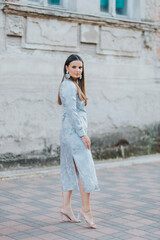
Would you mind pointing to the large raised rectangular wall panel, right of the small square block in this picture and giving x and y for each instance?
(118, 41)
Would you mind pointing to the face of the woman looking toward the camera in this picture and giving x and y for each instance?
(75, 69)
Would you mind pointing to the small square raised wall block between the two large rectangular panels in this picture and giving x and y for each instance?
(89, 33)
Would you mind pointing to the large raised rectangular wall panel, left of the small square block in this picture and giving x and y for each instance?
(51, 32)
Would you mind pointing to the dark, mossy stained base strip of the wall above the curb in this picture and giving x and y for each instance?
(121, 144)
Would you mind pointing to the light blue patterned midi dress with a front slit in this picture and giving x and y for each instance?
(74, 125)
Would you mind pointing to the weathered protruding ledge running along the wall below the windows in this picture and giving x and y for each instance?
(45, 12)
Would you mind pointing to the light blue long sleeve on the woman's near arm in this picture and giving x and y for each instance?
(68, 94)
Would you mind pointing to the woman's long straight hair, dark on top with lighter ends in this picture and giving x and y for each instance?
(81, 82)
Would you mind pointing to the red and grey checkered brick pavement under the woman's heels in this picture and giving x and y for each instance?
(127, 207)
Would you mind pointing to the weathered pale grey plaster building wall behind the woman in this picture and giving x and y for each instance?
(122, 66)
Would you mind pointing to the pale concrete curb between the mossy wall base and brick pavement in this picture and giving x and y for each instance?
(101, 164)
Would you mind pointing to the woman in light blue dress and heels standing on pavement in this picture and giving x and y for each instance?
(76, 162)
